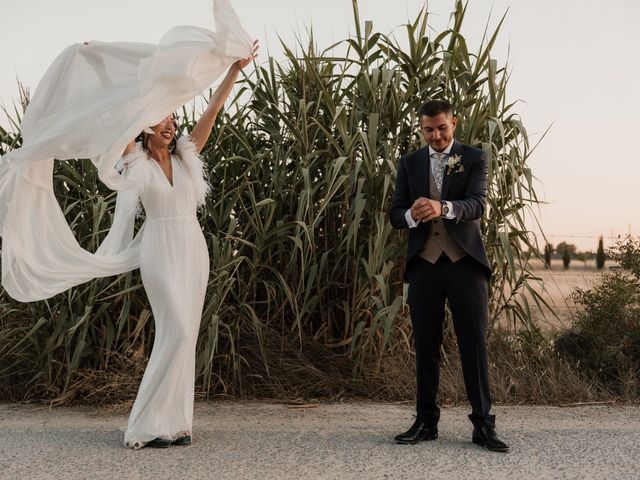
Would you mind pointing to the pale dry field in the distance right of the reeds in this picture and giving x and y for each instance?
(557, 287)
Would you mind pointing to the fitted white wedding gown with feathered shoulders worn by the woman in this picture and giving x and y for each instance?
(174, 264)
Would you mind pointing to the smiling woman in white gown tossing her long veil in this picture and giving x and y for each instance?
(119, 90)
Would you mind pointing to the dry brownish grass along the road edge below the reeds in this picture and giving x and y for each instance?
(522, 370)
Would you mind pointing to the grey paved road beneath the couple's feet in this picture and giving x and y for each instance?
(254, 440)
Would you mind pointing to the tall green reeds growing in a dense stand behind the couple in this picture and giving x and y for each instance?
(306, 272)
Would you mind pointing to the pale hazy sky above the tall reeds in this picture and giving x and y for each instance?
(575, 65)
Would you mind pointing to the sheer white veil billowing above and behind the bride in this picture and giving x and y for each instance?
(90, 103)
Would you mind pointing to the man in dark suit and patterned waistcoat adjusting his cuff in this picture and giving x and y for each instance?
(440, 196)
